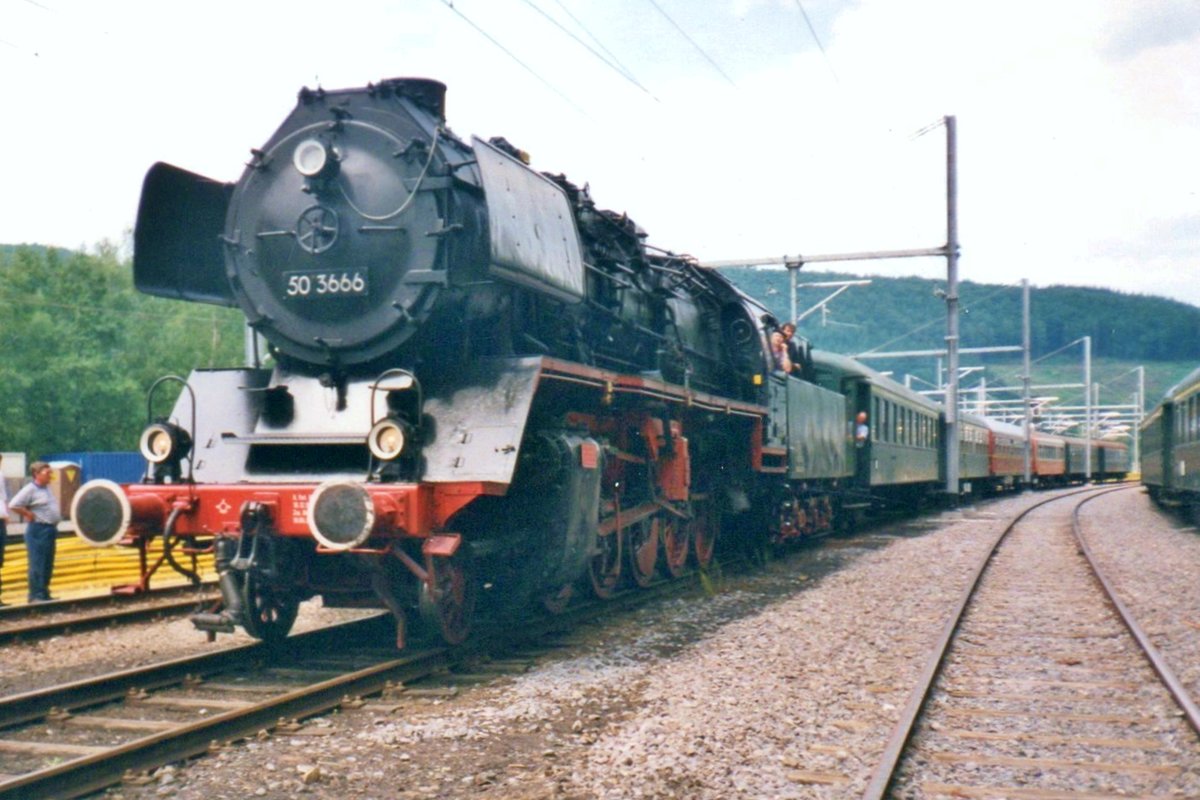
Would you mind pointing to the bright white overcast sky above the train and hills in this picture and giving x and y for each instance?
(728, 129)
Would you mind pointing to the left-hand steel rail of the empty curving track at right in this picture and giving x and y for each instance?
(884, 774)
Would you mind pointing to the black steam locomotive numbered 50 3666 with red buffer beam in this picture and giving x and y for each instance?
(478, 386)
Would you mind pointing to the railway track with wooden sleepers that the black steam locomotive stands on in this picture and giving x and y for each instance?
(75, 739)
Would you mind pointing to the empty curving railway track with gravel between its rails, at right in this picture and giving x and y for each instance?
(1042, 687)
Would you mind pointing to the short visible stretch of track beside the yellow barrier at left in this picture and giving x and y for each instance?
(61, 617)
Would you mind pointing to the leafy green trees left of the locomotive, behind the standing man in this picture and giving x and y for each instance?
(81, 348)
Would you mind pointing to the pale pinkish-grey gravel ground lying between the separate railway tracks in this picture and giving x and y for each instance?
(783, 684)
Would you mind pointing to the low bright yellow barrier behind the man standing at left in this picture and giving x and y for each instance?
(81, 569)
